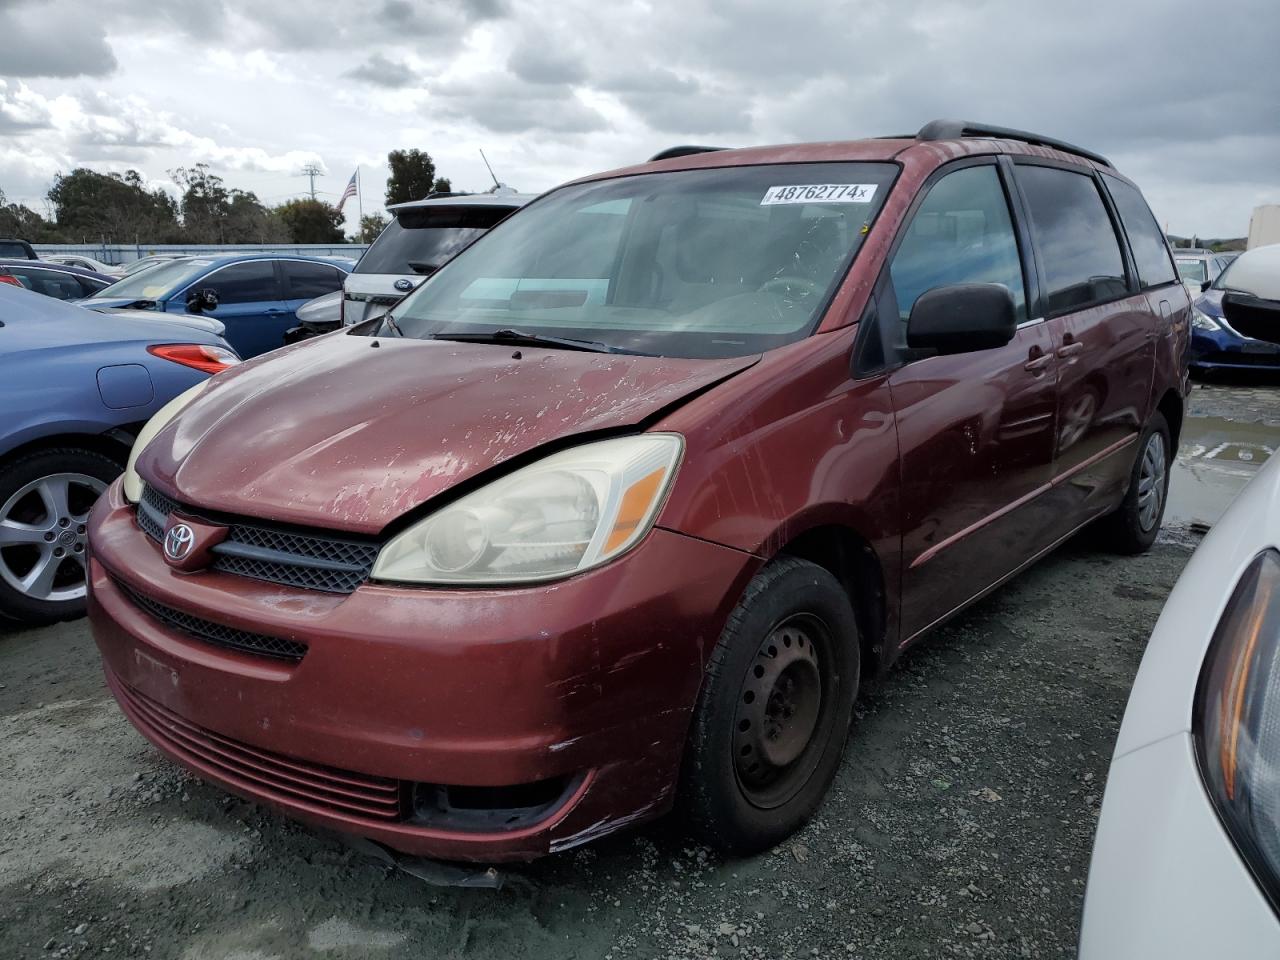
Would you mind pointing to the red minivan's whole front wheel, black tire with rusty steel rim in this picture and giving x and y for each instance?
(775, 710)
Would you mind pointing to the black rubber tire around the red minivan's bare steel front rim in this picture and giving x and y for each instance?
(712, 802)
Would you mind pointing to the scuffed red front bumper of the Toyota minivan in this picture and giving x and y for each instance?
(589, 682)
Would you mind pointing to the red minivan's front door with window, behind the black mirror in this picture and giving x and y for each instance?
(976, 431)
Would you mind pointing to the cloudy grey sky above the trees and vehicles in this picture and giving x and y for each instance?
(1182, 97)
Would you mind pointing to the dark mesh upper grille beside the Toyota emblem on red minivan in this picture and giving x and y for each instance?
(263, 552)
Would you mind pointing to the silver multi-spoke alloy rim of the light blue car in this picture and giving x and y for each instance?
(44, 537)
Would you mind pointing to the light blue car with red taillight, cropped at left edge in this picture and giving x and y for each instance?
(75, 392)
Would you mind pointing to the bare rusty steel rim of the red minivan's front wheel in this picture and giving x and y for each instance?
(781, 707)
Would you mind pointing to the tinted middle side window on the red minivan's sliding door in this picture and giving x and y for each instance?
(1075, 237)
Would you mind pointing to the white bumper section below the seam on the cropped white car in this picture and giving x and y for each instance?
(1167, 880)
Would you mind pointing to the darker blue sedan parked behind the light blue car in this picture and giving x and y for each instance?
(257, 296)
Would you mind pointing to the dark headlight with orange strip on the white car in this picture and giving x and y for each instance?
(1237, 721)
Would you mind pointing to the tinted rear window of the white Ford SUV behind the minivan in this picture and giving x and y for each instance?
(419, 240)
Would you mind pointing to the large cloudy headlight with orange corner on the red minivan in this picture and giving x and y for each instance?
(569, 513)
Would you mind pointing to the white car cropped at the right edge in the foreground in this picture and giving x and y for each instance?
(1187, 858)
